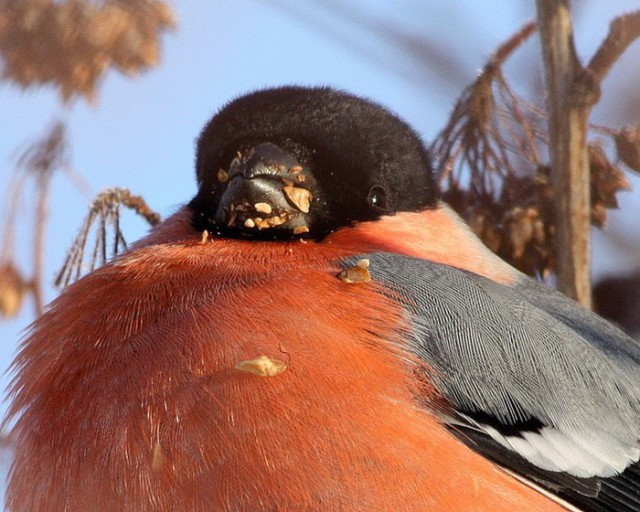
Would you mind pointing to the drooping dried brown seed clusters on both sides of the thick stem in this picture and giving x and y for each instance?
(493, 167)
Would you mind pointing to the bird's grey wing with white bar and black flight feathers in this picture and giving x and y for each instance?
(538, 383)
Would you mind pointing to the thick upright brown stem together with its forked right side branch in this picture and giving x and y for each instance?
(572, 91)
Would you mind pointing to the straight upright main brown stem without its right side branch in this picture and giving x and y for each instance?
(568, 124)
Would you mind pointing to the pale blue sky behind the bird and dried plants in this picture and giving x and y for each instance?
(141, 132)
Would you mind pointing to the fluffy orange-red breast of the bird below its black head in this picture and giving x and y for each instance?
(131, 399)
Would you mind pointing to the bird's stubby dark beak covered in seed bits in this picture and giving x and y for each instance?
(266, 194)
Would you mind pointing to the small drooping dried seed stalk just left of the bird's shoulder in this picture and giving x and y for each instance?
(104, 213)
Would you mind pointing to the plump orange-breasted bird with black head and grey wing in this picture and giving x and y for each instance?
(317, 330)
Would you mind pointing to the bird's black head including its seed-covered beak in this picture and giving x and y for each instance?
(297, 161)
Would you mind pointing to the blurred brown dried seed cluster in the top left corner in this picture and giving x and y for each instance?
(72, 43)
